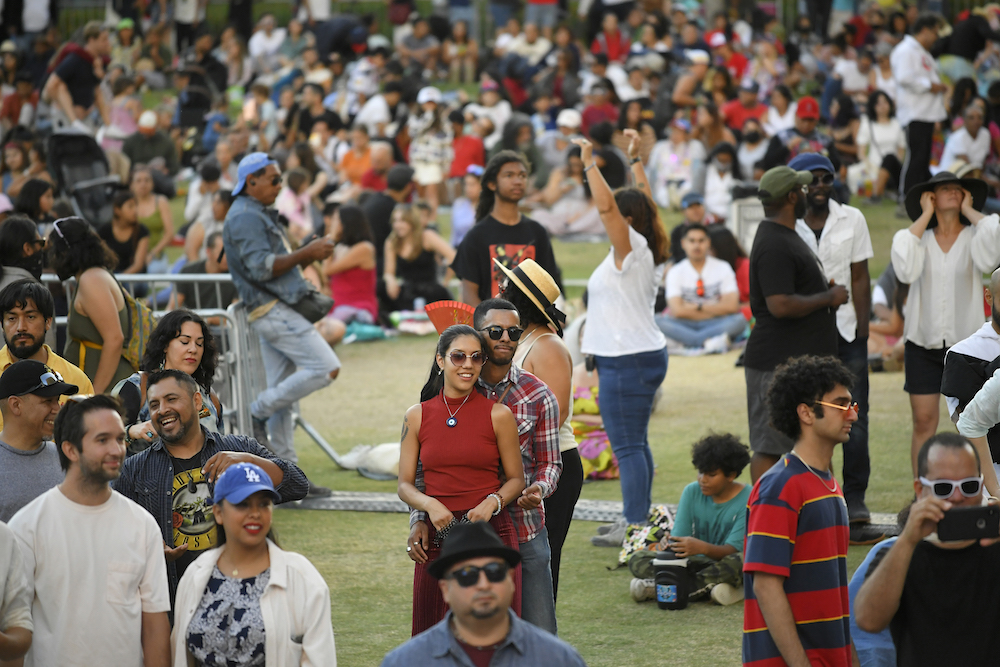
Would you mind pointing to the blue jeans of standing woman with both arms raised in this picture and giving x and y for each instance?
(627, 385)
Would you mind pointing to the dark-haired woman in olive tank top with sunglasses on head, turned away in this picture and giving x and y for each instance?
(98, 316)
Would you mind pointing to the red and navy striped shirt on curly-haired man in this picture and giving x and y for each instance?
(797, 528)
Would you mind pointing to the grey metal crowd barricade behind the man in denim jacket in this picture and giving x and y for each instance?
(240, 374)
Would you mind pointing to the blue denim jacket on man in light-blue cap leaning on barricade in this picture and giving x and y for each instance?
(253, 239)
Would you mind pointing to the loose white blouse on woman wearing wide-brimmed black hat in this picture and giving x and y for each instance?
(945, 304)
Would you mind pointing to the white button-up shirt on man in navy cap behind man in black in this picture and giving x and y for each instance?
(844, 241)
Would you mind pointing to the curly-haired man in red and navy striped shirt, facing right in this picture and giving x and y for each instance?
(795, 558)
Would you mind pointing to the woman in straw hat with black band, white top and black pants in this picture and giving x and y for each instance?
(542, 352)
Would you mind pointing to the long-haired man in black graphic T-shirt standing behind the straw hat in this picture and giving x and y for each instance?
(501, 233)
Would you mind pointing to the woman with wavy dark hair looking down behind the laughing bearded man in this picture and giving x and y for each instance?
(181, 341)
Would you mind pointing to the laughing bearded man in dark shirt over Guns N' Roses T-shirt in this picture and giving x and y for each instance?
(171, 479)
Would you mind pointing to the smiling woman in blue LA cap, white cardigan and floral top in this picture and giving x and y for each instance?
(248, 601)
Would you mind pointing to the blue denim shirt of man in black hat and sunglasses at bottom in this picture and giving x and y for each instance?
(524, 645)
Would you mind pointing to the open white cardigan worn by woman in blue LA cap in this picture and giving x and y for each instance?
(295, 607)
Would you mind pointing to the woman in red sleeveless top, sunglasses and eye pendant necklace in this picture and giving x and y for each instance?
(458, 441)
